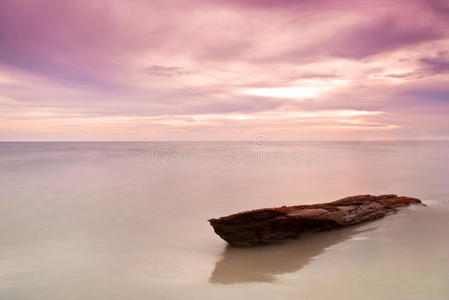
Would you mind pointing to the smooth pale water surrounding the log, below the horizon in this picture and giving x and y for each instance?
(129, 220)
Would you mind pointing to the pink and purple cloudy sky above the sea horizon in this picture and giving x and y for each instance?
(224, 70)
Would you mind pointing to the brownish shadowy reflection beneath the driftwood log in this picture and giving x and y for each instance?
(261, 264)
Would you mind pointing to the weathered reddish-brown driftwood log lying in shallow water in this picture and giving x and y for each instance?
(267, 225)
